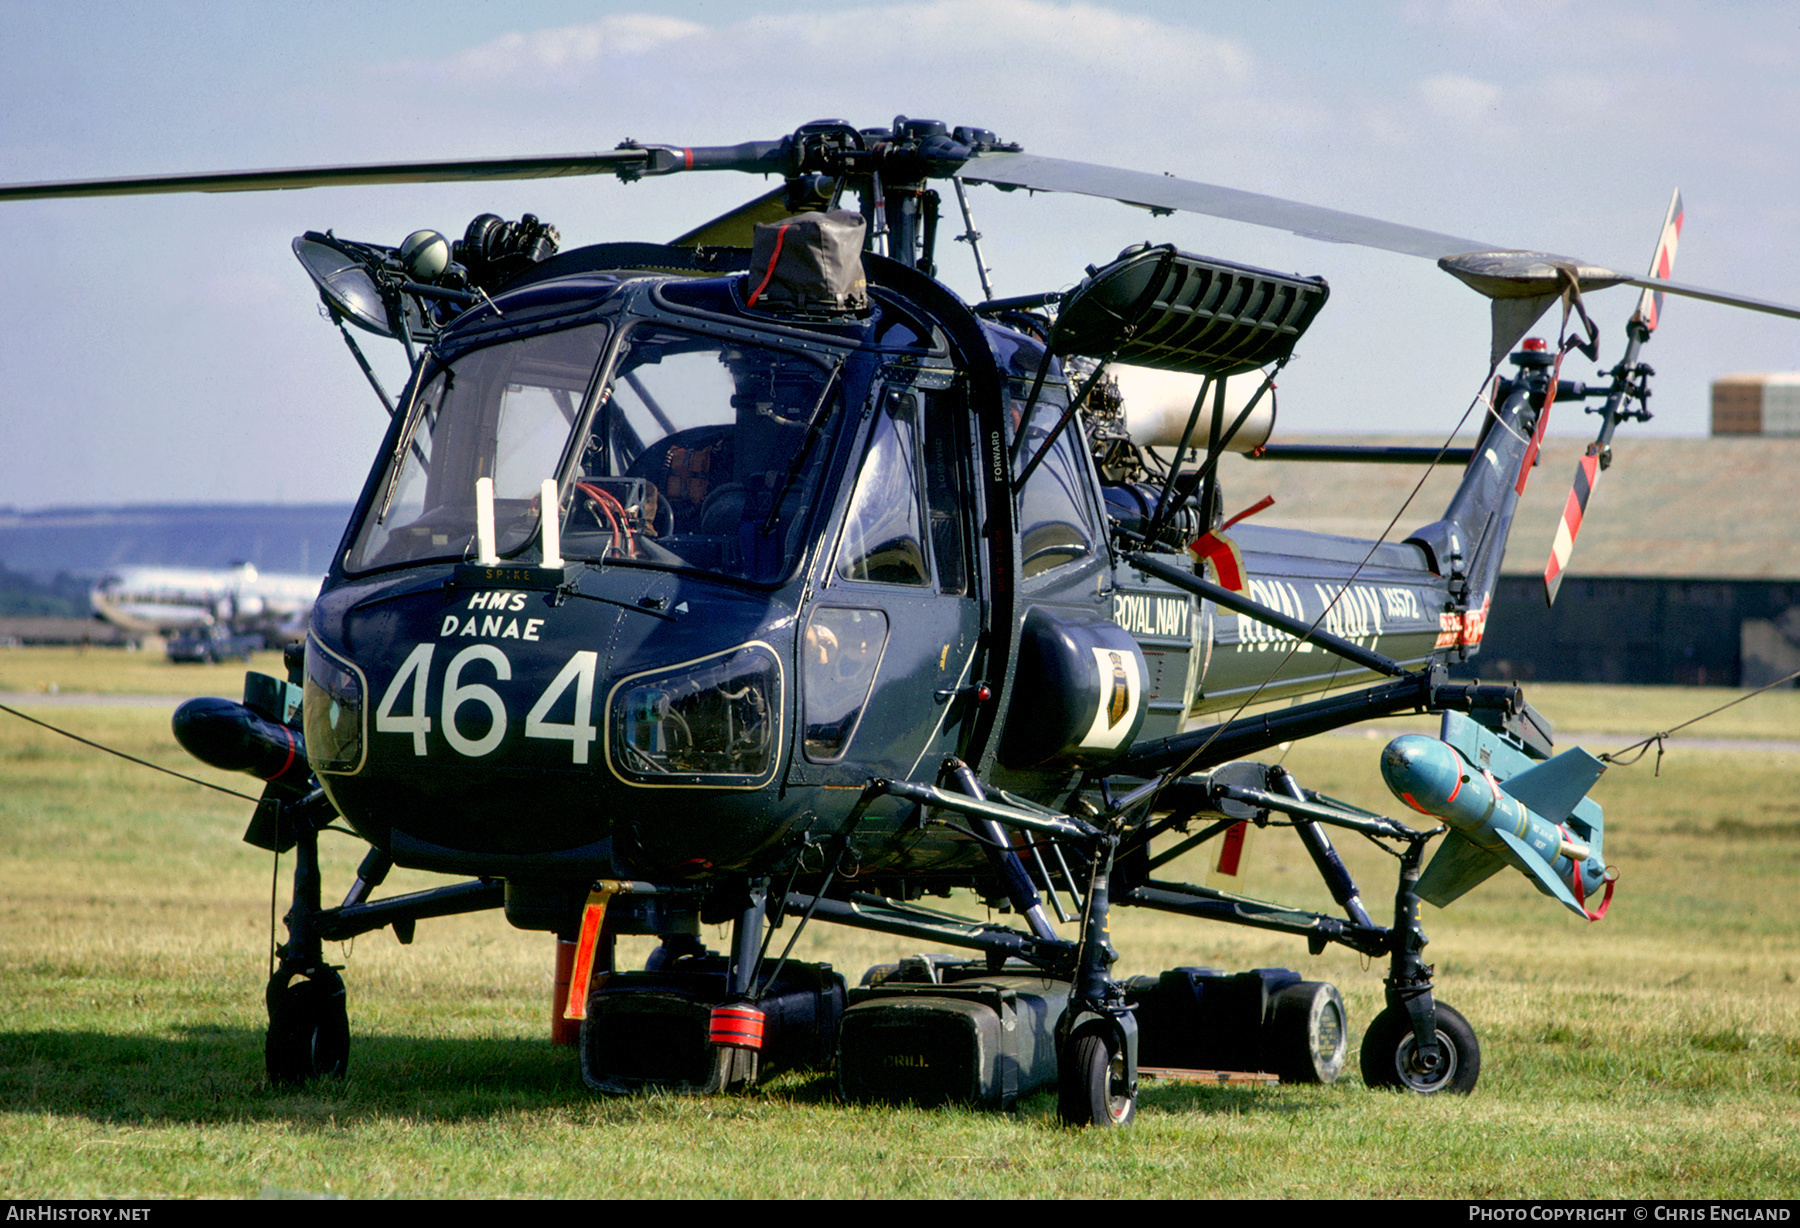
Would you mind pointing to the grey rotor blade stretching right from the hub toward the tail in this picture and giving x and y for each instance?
(1165, 192)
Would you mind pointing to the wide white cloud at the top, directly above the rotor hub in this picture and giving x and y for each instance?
(1032, 55)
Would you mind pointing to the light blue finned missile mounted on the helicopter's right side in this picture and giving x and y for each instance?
(1540, 822)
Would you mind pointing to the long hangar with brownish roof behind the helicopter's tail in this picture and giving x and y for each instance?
(1687, 566)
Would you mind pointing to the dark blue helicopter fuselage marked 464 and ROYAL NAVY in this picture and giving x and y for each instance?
(768, 599)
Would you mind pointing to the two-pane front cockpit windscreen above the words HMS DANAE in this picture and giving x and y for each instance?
(683, 451)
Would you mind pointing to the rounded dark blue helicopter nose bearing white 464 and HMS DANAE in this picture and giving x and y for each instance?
(575, 725)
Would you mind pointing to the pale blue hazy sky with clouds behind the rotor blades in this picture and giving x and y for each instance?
(172, 350)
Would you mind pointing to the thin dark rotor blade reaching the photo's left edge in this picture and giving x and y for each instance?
(460, 170)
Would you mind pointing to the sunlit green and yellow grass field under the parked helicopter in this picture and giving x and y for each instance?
(1651, 1056)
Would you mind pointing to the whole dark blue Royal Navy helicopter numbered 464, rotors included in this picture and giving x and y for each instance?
(757, 577)
